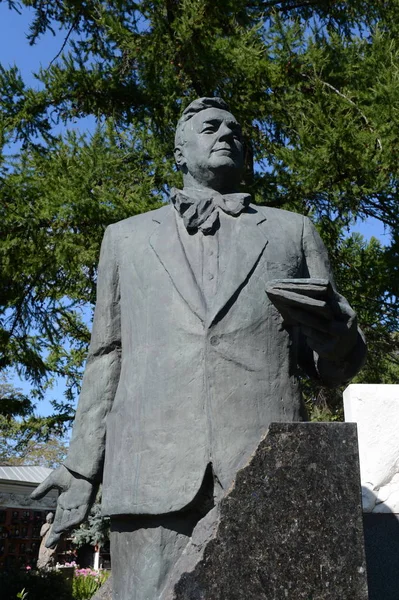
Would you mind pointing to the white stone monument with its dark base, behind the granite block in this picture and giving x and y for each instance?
(375, 409)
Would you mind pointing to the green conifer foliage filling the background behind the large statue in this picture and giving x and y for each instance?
(316, 88)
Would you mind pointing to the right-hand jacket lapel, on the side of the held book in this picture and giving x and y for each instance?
(237, 263)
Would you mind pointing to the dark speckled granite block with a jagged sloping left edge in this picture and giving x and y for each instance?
(291, 527)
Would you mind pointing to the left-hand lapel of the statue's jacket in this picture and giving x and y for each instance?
(166, 243)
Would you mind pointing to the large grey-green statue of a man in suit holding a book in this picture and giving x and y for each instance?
(196, 343)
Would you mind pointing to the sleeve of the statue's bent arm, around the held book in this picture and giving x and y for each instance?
(332, 373)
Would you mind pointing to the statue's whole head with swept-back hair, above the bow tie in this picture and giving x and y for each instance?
(208, 146)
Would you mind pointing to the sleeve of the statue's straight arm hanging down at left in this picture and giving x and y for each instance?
(101, 376)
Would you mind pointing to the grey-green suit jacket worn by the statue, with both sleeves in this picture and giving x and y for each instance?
(171, 386)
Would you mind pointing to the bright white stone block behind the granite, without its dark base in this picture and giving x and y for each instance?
(375, 409)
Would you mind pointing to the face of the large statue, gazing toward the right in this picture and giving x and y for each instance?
(213, 152)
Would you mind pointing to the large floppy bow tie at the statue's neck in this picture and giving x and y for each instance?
(200, 209)
